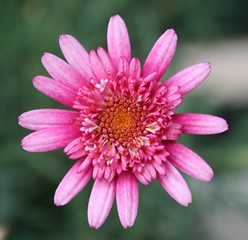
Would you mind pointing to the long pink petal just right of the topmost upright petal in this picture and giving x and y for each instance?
(159, 58)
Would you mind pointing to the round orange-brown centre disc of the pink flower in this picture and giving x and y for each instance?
(122, 121)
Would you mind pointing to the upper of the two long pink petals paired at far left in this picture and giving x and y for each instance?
(47, 118)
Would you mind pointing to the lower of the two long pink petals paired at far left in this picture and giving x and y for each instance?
(50, 139)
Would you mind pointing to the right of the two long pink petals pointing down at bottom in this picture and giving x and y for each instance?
(127, 197)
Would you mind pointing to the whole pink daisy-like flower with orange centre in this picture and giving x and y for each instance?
(122, 127)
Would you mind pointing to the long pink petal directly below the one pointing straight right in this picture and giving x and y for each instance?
(189, 162)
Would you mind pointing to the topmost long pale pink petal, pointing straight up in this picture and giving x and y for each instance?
(118, 40)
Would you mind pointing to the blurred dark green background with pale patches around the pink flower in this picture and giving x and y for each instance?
(215, 31)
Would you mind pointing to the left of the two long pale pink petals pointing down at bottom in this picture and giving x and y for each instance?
(100, 202)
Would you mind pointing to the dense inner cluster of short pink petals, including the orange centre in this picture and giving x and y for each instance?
(124, 120)
